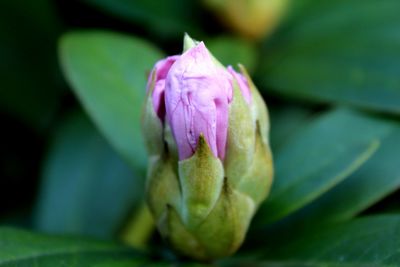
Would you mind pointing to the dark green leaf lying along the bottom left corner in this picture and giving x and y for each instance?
(22, 248)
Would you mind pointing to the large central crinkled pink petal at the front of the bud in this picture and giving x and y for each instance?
(197, 97)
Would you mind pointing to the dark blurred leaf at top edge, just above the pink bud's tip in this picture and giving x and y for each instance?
(165, 19)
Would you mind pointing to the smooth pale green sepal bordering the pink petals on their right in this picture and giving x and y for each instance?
(241, 137)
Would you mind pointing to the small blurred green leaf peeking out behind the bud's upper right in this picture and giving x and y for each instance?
(232, 51)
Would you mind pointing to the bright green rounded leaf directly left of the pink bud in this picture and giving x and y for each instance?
(107, 71)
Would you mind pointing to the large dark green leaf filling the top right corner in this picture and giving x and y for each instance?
(343, 51)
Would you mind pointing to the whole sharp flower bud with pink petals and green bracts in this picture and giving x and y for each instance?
(210, 165)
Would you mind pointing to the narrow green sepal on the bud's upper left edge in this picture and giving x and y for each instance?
(152, 126)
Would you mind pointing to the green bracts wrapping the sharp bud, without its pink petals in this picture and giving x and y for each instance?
(203, 205)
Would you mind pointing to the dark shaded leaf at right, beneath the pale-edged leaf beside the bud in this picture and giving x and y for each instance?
(375, 180)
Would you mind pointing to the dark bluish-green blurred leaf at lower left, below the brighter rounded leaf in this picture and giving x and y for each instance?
(86, 188)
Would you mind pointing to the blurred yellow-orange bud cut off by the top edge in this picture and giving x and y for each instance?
(253, 19)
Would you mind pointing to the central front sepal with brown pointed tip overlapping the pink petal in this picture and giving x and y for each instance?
(201, 178)
